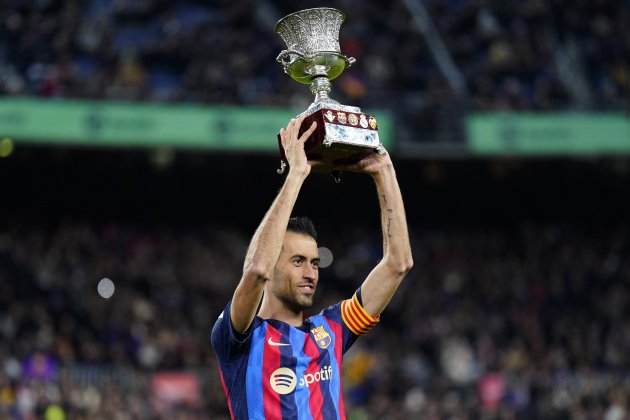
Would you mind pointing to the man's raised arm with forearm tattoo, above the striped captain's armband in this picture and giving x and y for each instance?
(381, 284)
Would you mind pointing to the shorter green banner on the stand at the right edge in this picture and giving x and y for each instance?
(548, 133)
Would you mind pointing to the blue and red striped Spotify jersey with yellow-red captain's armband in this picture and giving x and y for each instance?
(277, 371)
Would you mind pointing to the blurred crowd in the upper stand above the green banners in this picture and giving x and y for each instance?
(531, 55)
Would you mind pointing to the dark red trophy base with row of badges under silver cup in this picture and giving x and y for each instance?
(344, 135)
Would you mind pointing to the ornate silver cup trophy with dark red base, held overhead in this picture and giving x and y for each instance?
(344, 134)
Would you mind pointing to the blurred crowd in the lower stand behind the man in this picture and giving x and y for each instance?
(524, 323)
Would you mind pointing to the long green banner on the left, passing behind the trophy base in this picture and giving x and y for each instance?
(94, 123)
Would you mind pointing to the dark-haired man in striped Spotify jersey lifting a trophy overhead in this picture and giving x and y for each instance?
(274, 364)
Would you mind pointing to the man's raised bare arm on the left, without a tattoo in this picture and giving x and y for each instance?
(266, 243)
